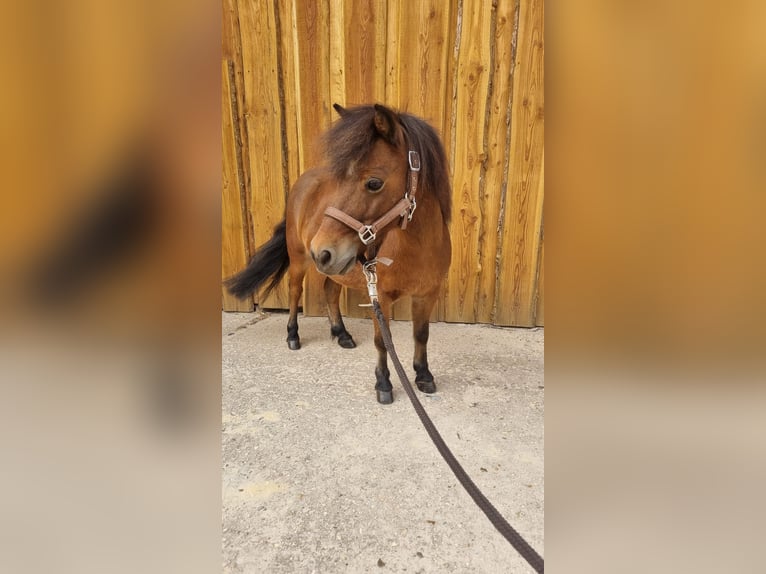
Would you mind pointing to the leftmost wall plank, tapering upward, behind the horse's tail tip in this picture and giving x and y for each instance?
(233, 235)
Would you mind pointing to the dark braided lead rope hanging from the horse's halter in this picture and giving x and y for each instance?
(522, 547)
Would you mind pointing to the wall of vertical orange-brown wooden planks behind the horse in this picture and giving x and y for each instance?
(473, 68)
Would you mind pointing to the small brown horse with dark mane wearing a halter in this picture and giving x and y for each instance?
(383, 192)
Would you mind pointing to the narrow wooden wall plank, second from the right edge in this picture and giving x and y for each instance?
(494, 178)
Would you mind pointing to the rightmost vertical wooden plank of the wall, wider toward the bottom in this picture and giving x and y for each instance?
(523, 209)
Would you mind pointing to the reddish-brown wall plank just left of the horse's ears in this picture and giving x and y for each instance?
(313, 73)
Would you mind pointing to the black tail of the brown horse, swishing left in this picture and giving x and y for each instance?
(270, 261)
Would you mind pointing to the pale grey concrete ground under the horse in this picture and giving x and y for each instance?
(320, 478)
